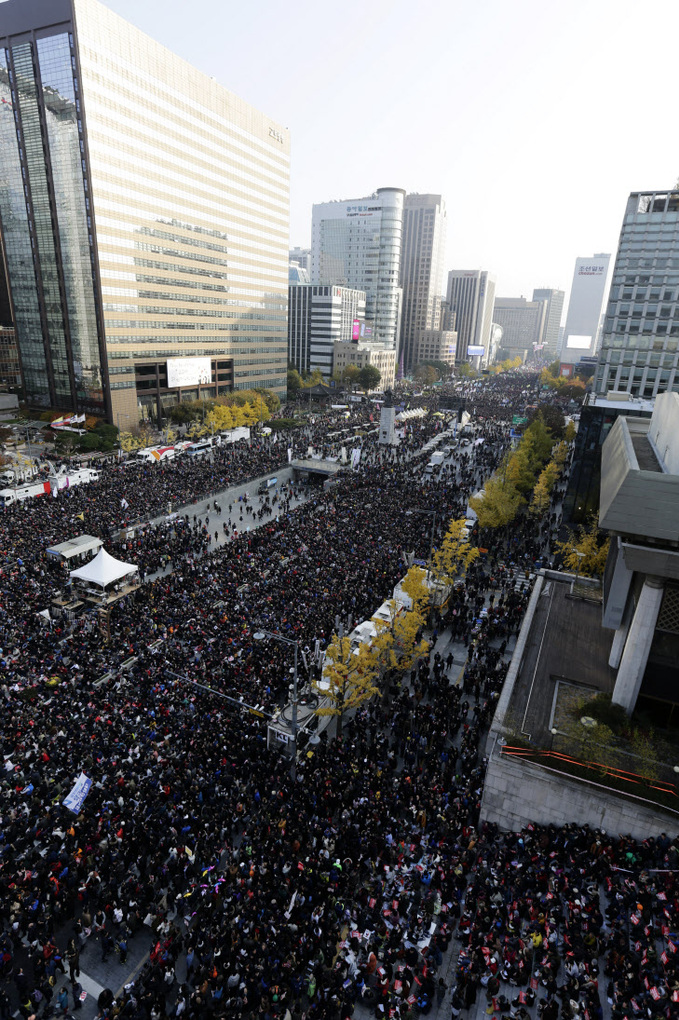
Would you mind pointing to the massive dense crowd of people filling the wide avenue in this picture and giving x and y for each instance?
(350, 882)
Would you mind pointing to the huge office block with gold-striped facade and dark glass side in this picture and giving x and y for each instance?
(145, 218)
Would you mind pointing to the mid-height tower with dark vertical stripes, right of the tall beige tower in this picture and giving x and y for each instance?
(469, 302)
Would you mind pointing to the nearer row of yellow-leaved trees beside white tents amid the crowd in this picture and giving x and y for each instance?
(352, 672)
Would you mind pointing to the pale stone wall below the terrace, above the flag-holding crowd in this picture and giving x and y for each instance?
(518, 792)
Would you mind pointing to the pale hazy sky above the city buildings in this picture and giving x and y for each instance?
(534, 119)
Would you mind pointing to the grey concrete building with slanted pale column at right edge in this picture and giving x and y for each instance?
(639, 507)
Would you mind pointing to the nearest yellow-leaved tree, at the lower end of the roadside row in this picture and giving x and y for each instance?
(350, 678)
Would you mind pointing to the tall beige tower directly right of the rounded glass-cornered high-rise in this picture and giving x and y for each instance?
(425, 227)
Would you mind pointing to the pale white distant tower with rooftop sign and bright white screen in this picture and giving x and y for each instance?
(591, 281)
